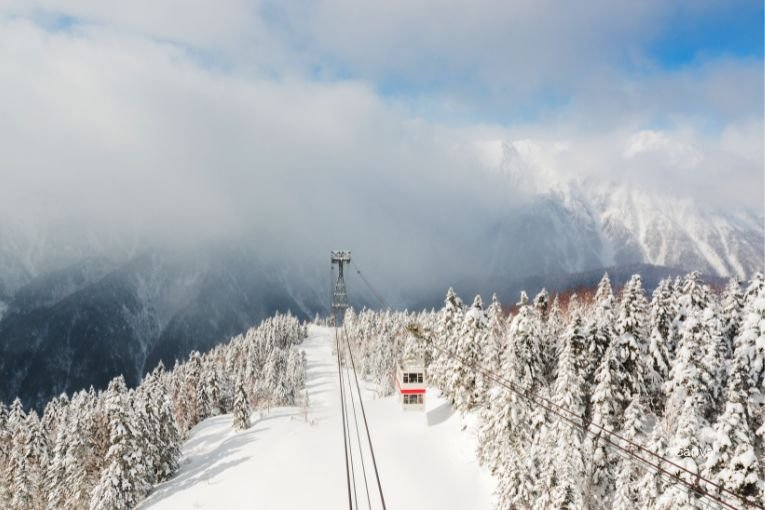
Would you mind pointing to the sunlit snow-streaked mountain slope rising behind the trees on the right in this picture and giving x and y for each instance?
(569, 224)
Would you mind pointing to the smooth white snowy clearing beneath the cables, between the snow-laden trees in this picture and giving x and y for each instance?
(425, 460)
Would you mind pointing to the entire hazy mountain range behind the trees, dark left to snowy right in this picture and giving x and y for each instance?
(76, 310)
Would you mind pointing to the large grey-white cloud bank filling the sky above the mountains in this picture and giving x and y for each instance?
(275, 121)
